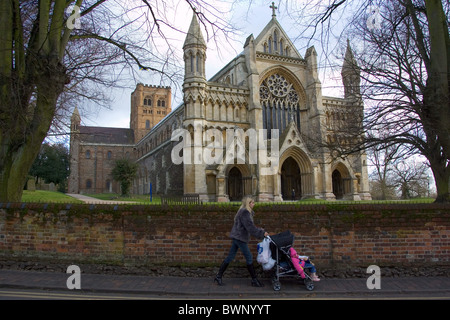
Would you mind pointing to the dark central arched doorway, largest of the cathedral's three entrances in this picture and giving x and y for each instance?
(290, 180)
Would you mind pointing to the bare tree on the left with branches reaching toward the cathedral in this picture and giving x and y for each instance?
(46, 59)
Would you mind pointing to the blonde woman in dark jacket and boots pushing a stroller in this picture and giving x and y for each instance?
(243, 227)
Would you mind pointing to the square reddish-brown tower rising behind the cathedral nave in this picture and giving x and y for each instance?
(149, 105)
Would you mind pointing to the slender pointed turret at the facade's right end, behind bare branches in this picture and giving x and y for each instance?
(351, 75)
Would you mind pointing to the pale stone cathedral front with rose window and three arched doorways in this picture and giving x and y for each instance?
(259, 127)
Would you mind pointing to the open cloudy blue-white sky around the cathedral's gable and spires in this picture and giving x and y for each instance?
(250, 17)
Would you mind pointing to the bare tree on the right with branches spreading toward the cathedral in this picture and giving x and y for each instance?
(404, 62)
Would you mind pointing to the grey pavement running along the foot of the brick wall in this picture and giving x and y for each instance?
(204, 288)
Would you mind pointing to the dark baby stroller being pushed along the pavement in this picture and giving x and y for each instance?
(279, 246)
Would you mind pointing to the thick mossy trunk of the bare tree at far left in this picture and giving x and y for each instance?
(32, 77)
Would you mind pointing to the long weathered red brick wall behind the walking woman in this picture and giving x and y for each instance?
(334, 236)
